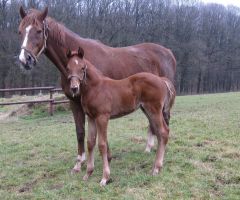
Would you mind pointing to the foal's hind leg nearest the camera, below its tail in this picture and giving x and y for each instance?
(162, 133)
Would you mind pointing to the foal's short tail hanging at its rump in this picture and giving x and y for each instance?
(169, 99)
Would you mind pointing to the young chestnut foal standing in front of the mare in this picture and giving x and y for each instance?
(103, 98)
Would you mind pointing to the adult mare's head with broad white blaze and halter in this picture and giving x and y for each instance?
(33, 33)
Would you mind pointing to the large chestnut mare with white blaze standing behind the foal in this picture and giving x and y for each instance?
(40, 34)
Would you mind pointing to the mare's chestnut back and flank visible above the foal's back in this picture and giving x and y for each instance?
(122, 62)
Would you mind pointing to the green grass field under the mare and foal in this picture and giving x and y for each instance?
(202, 160)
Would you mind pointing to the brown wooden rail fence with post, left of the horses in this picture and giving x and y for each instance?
(51, 99)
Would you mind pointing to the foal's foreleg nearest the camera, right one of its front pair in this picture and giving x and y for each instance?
(101, 123)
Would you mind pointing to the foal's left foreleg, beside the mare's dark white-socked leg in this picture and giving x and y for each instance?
(91, 141)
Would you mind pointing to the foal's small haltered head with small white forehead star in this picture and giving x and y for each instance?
(76, 69)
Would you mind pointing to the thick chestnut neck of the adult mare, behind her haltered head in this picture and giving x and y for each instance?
(57, 44)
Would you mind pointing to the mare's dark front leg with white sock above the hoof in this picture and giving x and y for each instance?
(79, 118)
